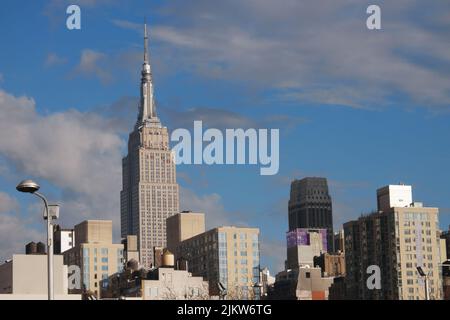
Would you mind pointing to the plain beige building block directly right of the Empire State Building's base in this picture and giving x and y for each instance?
(182, 226)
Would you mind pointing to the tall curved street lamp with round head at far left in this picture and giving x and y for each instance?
(29, 186)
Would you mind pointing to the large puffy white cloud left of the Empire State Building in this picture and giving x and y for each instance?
(79, 153)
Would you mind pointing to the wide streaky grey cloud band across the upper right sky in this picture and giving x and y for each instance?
(314, 52)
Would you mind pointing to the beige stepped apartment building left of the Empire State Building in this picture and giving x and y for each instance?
(95, 254)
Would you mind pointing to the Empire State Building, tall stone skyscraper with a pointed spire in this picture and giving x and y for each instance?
(149, 189)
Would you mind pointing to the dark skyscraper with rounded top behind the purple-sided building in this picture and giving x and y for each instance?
(310, 206)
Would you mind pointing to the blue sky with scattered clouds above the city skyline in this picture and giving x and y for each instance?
(363, 108)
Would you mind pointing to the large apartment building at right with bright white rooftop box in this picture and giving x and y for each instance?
(398, 240)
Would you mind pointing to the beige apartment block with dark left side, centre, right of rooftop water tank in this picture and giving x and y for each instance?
(229, 255)
